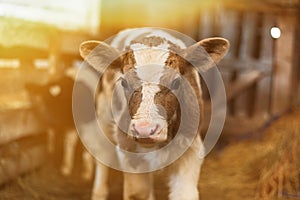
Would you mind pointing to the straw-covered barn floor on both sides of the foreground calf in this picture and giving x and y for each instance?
(243, 169)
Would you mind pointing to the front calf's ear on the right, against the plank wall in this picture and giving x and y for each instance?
(207, 52)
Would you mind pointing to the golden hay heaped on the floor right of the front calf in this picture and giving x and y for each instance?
(264, 167)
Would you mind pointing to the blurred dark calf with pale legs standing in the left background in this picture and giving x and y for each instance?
(53, 106)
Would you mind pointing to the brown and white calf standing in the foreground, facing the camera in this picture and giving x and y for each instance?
(147, 77)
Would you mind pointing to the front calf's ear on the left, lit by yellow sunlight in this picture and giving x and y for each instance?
(99, 55)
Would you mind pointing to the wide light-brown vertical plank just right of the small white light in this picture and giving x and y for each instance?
(283, 65)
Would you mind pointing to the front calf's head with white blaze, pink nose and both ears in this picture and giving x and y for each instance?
(152, 73)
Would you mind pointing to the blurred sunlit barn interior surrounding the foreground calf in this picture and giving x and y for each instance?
(257, 153)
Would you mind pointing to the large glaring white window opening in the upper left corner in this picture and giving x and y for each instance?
(66, 15)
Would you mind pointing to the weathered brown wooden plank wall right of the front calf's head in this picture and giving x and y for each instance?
(260, 73)
